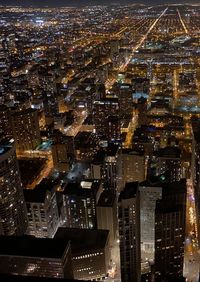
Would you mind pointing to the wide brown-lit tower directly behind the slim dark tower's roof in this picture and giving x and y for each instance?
(131, 167)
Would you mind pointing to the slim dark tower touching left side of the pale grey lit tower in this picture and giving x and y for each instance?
(129, 232)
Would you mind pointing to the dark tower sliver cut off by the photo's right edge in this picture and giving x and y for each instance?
(195, 167)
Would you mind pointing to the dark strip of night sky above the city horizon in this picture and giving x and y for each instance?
(57, 3)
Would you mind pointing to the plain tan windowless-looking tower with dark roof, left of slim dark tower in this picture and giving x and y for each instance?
(107, 214)
